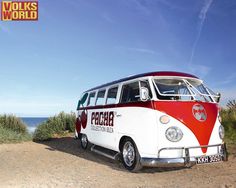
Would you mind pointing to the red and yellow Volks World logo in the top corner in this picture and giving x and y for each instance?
(19, 11)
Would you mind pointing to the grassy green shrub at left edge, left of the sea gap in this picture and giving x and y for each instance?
(13, 130)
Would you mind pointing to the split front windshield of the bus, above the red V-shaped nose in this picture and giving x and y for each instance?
(181, 89)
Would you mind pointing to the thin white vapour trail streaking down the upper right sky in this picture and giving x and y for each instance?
(202, 17)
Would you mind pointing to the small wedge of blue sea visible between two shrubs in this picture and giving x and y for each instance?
(33, 122)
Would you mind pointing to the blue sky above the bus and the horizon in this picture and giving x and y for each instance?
(45, 65)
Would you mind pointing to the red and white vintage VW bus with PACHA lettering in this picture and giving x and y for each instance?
(160, 119)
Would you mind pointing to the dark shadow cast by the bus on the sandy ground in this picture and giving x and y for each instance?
(72, 146)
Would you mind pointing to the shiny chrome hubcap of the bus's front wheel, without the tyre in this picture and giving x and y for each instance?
(128, 153)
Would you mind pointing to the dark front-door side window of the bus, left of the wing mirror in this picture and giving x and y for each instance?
(130, 93)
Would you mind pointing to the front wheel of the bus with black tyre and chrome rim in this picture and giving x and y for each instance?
(130, 155)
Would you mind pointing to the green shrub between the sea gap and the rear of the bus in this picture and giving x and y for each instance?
(55, 126)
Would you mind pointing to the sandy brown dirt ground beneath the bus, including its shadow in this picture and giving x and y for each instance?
(62, 163)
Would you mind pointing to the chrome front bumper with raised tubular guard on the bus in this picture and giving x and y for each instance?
(186, 161)
